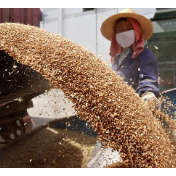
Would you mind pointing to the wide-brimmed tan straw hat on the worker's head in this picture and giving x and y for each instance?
(107, 28)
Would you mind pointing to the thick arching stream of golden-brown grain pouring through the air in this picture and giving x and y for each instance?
(99, 95)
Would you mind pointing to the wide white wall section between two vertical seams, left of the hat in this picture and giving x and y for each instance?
(81, 29)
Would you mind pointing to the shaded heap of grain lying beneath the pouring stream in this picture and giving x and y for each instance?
(50, 148)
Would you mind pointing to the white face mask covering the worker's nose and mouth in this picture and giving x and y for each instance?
(125, 39)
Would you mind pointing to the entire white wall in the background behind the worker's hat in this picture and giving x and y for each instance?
(83, 28)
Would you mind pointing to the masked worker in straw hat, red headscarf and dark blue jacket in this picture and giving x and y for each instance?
(136, 64)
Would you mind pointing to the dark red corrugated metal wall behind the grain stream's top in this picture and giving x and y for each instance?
(22, 15)
